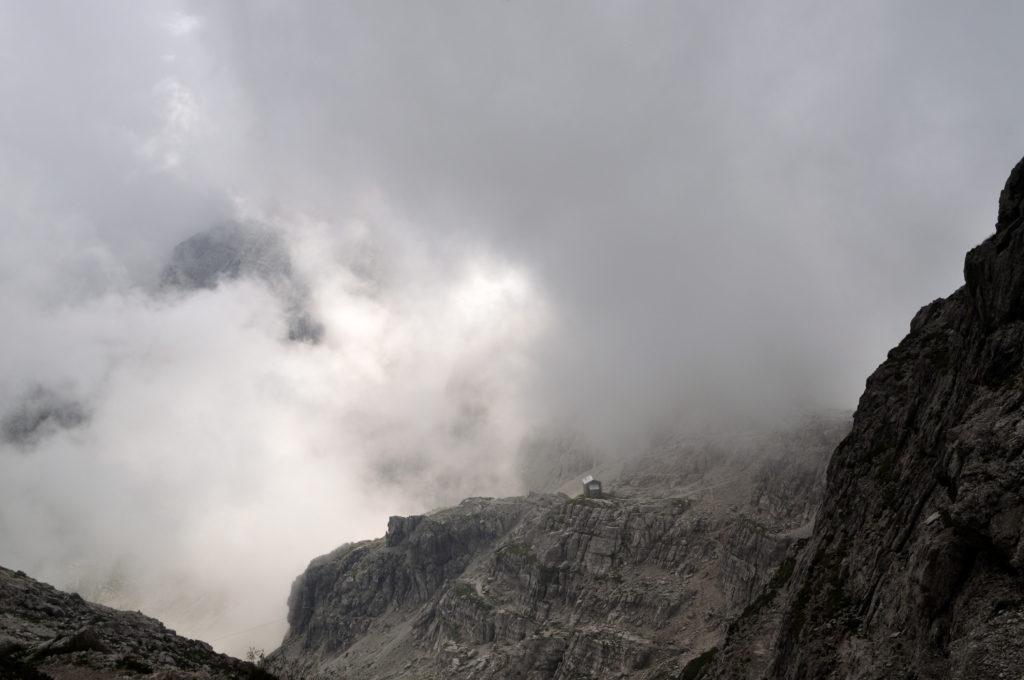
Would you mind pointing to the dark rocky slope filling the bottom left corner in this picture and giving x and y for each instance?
(49, 634)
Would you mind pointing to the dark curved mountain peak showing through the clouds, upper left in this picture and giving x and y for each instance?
(234, 251)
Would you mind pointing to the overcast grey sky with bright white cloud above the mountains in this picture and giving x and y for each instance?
(508, 215)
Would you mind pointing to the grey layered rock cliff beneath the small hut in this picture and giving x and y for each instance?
(547, 586)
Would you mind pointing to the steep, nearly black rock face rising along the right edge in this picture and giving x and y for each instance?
(915, 569)
